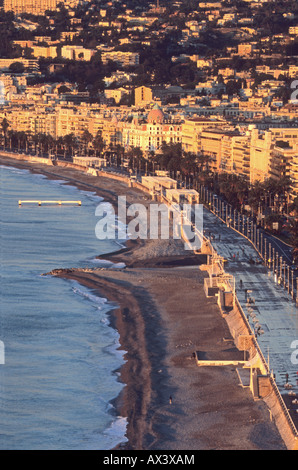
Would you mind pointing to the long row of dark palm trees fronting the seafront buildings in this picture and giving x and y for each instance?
(266, 197)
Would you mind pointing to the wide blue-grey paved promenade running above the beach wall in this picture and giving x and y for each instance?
(272, 309)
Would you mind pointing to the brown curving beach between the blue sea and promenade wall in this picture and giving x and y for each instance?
(163, 316)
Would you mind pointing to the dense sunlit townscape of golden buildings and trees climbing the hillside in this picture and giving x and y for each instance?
(204, 90)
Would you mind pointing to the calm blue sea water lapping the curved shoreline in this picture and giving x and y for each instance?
(61, 354)
